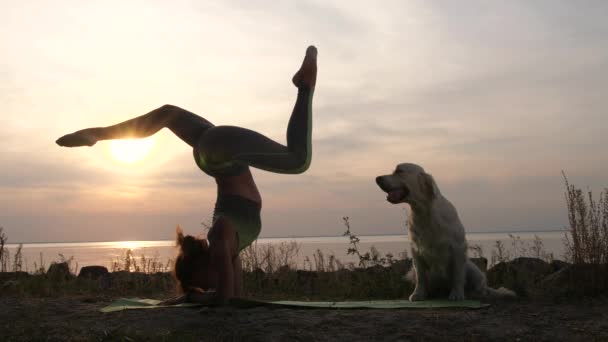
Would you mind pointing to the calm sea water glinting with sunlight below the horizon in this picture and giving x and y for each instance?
(104, 253)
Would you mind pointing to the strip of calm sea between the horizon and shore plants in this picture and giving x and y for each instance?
(304, 249)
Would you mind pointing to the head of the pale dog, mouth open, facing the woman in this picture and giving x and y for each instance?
(408, 184)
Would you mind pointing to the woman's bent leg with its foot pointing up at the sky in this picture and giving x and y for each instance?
(226, 144)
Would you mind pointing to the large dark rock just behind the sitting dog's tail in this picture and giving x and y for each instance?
(520, 275)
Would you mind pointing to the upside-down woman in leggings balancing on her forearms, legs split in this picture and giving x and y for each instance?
(225, 153)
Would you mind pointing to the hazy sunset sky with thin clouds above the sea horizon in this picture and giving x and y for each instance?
(494, 99)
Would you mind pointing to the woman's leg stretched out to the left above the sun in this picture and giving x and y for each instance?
(186, 125)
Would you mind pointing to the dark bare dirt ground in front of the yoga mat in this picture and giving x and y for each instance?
(79, 319)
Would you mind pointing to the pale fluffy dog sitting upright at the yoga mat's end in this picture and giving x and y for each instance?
(439, 249)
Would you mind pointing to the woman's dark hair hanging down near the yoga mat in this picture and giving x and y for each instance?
(192, 262)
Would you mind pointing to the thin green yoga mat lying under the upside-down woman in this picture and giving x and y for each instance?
(138, 303)
